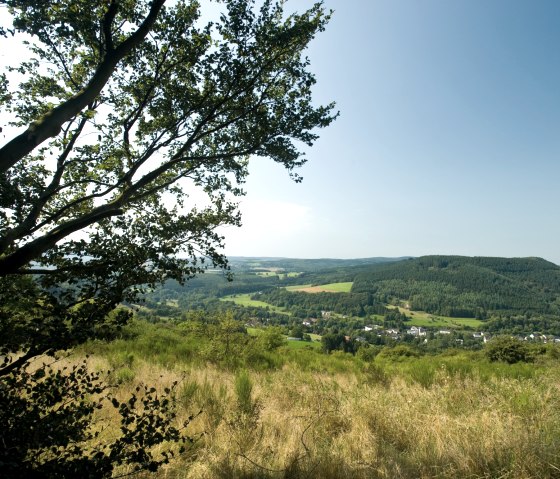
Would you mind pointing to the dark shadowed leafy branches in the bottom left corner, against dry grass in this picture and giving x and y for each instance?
(46, 430)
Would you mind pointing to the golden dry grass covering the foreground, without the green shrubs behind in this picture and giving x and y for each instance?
(308, 425)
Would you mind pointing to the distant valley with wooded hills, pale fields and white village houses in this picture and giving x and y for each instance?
(378, 301)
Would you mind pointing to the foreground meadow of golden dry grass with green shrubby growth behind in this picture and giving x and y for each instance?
(261, 409)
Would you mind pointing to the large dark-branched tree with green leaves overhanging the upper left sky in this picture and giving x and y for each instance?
(127, 110)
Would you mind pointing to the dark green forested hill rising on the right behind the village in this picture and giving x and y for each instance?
(468, 287)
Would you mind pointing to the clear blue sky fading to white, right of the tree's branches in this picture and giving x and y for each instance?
(448, 140)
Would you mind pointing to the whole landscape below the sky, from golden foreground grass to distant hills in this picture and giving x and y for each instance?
(336, 372)
